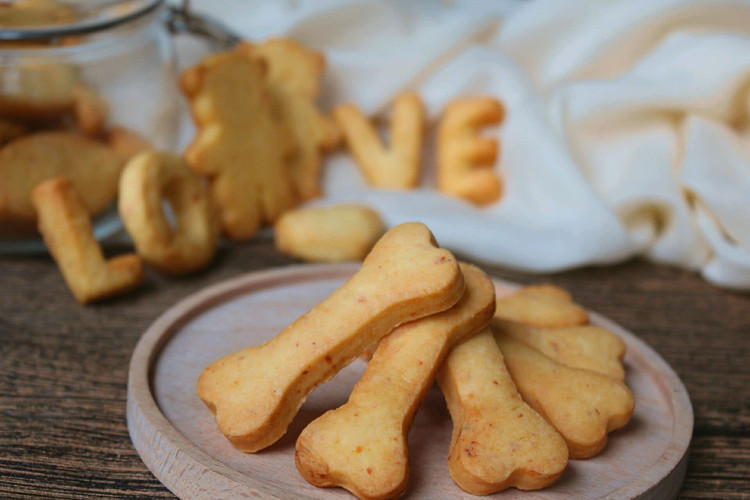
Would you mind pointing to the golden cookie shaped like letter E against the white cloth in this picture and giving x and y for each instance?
(465, 159)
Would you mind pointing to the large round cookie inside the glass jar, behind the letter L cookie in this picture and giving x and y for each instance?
(92, 168)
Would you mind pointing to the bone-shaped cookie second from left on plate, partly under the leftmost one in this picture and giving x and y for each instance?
(362, 446)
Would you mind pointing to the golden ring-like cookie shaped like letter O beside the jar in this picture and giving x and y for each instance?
(145, 180)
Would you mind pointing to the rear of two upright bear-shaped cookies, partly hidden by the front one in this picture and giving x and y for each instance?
(294, 74)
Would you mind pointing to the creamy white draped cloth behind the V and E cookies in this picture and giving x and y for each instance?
(628, 129)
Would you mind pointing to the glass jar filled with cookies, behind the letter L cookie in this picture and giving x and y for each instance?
(97, 75)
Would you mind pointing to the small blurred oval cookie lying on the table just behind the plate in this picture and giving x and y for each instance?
(328, 234)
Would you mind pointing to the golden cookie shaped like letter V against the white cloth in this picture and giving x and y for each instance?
(397, 167)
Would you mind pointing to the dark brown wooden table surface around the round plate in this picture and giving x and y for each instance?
(63, 368)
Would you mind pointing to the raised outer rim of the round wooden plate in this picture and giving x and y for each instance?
(147, 425)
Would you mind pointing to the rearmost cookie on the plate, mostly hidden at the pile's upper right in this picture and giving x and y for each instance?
(542, 305)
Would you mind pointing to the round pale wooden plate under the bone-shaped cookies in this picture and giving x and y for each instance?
(177, 438)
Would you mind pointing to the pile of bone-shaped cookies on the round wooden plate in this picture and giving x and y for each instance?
(527, 390)
